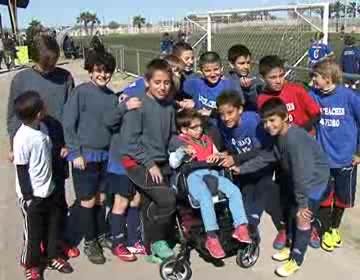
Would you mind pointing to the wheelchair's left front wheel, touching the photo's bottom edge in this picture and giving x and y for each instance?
(173, 269)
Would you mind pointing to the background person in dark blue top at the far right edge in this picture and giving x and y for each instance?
(350, 61)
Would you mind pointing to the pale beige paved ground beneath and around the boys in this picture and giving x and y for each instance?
(343, 263)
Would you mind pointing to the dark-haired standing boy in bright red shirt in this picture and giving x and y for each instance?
(303, 112)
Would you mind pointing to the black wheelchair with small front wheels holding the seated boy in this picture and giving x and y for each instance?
(190, 232)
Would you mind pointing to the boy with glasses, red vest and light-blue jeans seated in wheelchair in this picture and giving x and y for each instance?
(198, 147)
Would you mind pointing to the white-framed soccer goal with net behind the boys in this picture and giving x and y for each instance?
(285, 30)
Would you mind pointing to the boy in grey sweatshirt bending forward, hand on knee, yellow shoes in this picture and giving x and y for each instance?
(306, 171)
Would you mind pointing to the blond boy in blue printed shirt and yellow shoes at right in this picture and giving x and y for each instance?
(338, 134)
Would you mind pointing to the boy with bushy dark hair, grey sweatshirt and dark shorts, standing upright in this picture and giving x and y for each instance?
(88, 140)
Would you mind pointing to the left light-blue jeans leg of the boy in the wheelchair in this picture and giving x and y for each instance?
(199, 191)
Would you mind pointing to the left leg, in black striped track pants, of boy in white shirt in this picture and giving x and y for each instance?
(33, 231)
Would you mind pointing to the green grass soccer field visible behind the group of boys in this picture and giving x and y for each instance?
(288, 45)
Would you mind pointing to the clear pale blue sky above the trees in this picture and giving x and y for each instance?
(64, 12)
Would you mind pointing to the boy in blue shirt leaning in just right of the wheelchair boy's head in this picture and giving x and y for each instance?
(244, 136)
